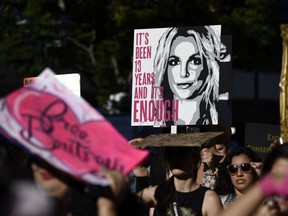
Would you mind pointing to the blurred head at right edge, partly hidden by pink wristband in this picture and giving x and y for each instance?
(276, 163)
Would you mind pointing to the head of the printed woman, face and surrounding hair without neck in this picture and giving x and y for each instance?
(187, 60)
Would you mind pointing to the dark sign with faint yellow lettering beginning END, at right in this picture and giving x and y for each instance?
(258, 137)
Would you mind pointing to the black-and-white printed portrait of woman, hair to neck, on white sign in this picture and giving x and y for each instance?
(186, 67)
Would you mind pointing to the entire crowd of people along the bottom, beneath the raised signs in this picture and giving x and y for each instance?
(208, 179)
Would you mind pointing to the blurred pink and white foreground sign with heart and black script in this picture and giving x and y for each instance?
(53, 123)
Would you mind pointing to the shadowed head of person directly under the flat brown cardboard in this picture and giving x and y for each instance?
(182, 161)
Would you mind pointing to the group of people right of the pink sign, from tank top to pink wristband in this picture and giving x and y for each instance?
(237, 182)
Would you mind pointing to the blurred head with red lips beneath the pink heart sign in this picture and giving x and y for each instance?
(63, 188)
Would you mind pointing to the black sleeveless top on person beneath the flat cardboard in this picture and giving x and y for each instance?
(190, 203)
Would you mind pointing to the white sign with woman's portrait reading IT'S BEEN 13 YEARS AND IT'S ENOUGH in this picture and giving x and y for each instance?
(176, 76)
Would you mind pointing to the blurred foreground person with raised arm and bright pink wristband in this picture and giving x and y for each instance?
(272, 188)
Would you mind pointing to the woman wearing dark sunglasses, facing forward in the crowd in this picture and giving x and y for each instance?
(242, 164)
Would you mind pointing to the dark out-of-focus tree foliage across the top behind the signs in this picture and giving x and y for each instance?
(95, 38)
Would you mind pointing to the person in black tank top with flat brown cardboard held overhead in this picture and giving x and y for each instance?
(180, 194)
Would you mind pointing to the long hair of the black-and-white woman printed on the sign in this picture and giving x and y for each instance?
(209, 46)
